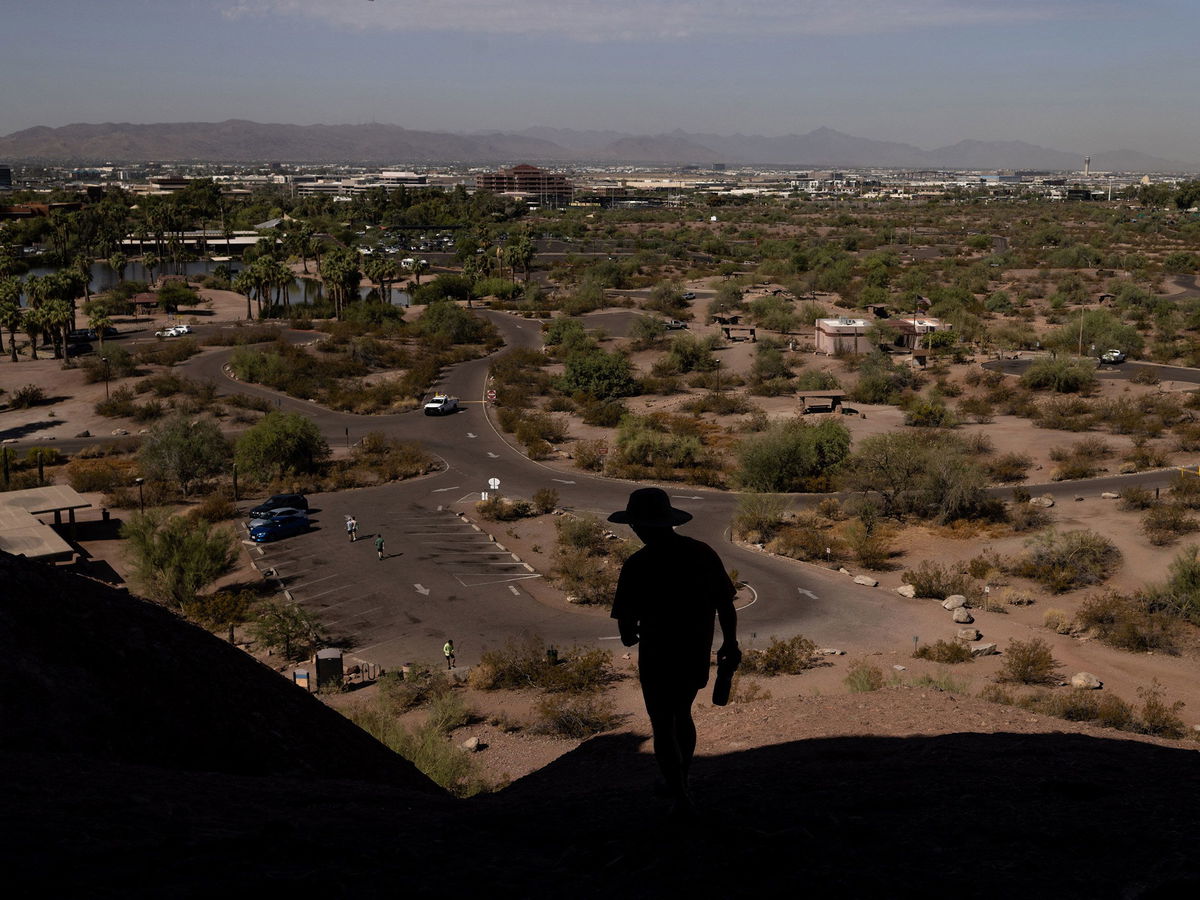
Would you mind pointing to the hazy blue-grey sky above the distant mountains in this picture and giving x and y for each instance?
(1084, 76)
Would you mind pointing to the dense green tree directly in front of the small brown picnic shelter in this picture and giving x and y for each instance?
(793, 457)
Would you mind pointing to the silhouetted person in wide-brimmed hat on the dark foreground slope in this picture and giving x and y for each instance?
(667, 599)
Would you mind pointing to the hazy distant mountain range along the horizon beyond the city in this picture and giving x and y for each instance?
(239, 141)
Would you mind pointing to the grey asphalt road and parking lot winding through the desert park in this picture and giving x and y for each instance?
(441, 578)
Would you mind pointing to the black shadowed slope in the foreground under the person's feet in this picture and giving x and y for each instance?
(143, 758)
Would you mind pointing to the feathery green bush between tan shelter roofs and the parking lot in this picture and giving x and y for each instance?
(176, 557)
